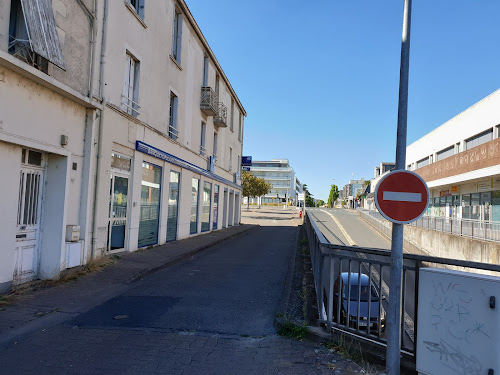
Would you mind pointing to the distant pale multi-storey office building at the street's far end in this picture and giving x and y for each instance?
(281, 176)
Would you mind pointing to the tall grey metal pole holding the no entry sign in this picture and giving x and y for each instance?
(396, 280)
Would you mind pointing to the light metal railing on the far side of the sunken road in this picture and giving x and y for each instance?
(477, 229)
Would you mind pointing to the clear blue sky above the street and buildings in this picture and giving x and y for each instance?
(319, 80)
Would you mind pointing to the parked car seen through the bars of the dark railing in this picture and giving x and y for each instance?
(368, 297)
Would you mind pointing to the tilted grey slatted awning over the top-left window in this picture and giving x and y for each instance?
(42, 32)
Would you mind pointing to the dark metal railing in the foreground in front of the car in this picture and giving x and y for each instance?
(343, 307)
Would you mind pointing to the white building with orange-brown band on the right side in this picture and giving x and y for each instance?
(460, 161)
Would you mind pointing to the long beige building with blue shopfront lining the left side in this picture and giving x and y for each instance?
(118, 130)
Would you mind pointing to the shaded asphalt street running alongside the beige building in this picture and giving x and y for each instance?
(212, 314)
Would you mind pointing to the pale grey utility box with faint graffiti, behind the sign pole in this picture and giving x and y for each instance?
(458, 329)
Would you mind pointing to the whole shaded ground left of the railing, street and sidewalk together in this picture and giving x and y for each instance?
(204, 305)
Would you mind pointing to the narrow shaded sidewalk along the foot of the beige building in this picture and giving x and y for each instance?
(32, 310)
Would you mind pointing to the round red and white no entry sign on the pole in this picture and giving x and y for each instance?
(402, 196)
